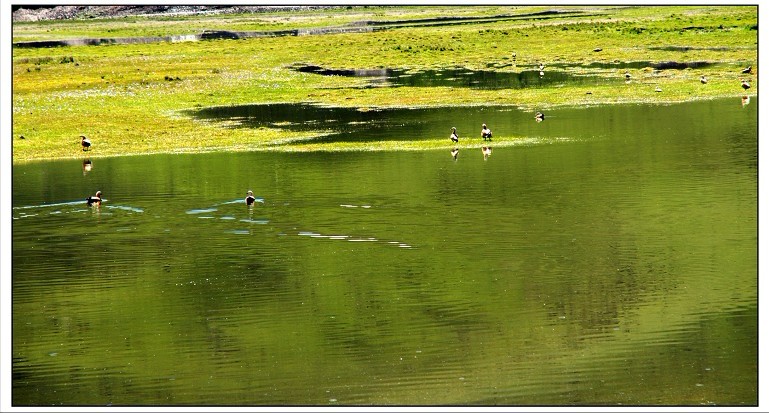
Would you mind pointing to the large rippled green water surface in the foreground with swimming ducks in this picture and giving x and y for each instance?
(612, 261)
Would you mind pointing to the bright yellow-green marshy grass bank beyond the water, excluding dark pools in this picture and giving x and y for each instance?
(132, 98)
